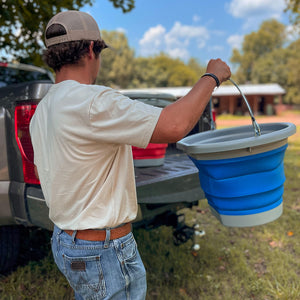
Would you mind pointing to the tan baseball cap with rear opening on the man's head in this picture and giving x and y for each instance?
(77, 26)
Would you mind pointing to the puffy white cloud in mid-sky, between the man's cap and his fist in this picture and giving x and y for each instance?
(174, 42)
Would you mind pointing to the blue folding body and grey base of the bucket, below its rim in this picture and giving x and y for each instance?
(244, 191)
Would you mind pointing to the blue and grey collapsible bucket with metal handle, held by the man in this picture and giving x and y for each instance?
(241, 171)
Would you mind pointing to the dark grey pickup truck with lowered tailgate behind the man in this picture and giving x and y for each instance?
(161, 190)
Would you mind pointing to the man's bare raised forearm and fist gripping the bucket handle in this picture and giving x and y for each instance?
(179, 118)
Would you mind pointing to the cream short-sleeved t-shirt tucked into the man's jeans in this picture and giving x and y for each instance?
(82, 137)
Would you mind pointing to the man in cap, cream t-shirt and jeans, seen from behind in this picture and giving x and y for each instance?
(82, 136)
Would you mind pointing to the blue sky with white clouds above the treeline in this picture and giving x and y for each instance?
(187, 28)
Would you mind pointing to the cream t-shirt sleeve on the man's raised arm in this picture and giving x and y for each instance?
(116, 118)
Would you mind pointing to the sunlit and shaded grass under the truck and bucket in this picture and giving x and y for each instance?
(260, 263)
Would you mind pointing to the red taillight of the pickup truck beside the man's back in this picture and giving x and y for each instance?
(23, 115)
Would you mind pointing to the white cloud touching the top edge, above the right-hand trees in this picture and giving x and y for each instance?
(255, 11)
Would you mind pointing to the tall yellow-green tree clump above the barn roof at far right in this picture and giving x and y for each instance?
(266, 57)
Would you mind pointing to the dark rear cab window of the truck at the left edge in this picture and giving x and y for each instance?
(10, 76)
